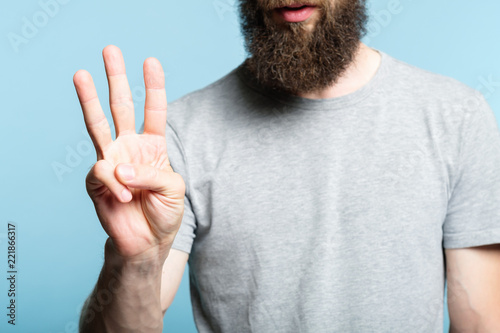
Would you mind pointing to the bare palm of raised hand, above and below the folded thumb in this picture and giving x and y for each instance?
(129, 225)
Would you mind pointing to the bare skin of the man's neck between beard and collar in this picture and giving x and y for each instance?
(359, 73)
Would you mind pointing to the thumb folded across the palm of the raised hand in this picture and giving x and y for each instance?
(146, 177)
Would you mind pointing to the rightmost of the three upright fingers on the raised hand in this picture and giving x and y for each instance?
(155, 106)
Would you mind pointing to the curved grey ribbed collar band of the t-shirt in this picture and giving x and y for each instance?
(318, 104)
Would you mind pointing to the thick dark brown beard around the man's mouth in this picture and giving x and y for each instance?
(289, 58)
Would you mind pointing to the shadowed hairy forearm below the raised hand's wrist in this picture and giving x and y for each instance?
(126, 297)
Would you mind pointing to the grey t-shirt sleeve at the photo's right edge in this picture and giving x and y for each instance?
(473, 215)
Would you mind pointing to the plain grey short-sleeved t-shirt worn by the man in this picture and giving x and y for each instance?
(331, 215)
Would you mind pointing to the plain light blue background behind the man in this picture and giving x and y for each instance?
(60, 241)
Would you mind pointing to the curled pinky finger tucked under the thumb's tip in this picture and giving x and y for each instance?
(101, 178)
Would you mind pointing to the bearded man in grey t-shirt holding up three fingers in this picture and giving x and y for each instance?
(321, 186)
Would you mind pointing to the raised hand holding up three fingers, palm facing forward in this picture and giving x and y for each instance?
(138, 197)
